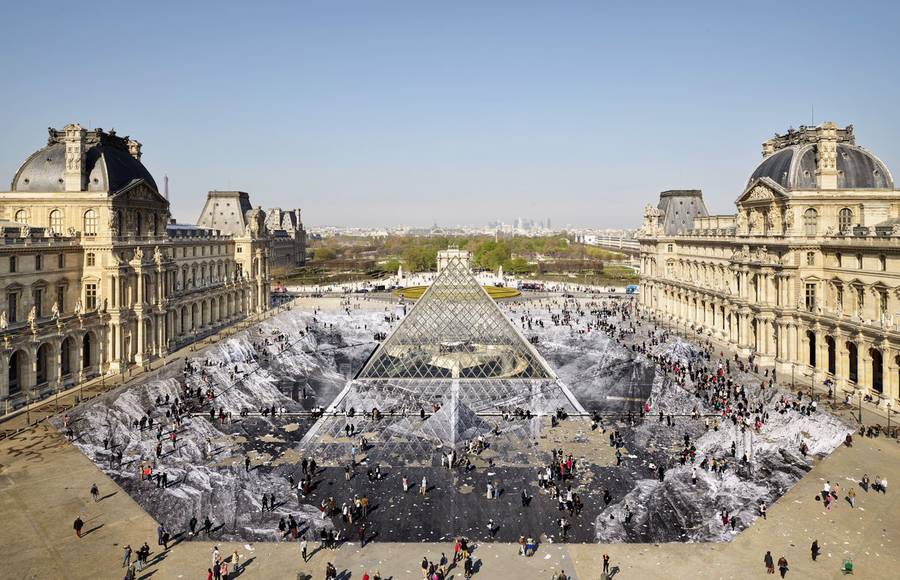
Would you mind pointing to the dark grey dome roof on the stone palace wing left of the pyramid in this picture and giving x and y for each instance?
(109, 168)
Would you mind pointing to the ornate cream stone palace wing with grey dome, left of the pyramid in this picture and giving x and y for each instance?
(95, 275)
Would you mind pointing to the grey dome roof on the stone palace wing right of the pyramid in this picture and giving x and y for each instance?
(794, 167)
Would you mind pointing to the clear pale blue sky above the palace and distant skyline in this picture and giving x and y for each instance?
(373, 113)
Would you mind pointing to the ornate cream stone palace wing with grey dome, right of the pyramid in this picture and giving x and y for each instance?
(806, 274)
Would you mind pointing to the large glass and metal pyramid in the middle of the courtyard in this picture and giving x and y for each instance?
(456, 350)
